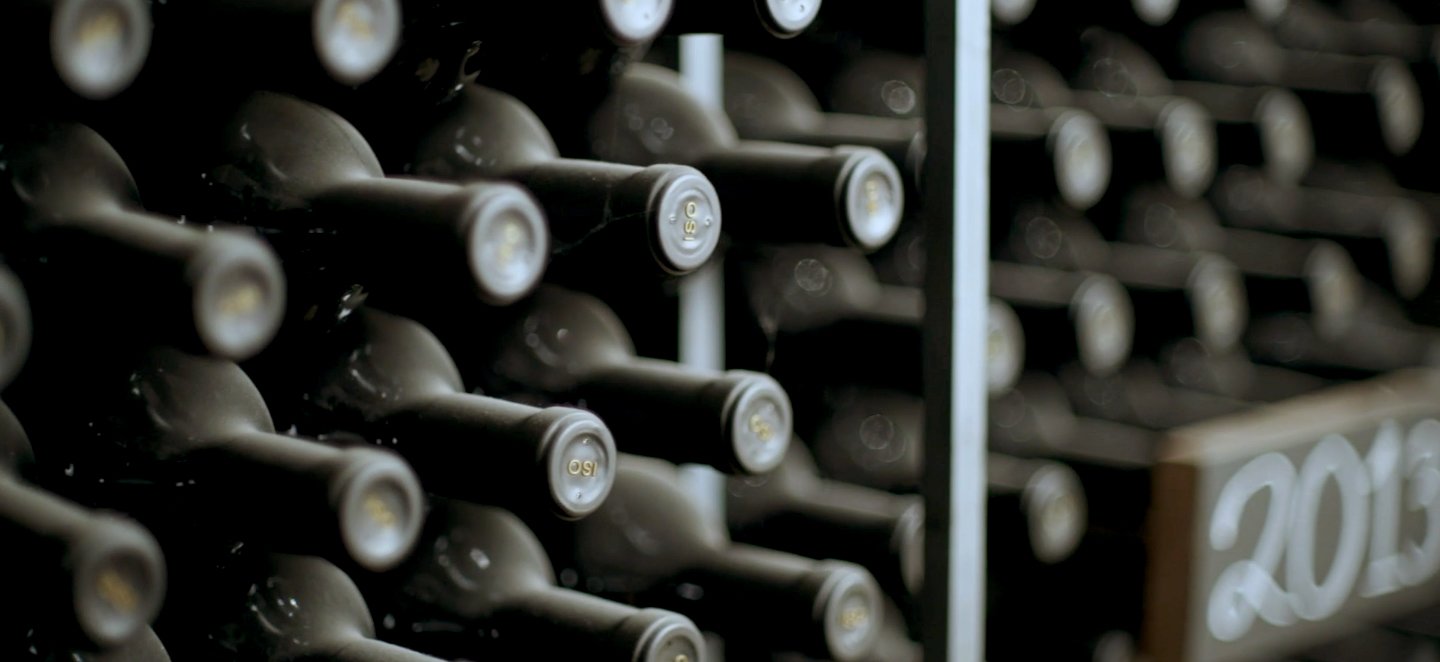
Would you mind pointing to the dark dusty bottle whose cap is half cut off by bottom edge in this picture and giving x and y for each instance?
(482, 586)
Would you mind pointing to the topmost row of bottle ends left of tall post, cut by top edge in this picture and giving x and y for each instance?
(94, 50)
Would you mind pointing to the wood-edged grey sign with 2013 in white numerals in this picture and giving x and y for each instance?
(1284, 527)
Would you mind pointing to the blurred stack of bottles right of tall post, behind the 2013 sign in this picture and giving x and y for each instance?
(1255, 209)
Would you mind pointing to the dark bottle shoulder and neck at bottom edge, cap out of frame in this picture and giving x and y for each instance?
(276, 608)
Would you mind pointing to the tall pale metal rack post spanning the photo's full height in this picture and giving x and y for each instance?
(957, 214)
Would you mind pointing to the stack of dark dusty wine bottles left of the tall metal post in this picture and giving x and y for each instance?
(387, 366)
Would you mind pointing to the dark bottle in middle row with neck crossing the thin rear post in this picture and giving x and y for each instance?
(567, 348)
